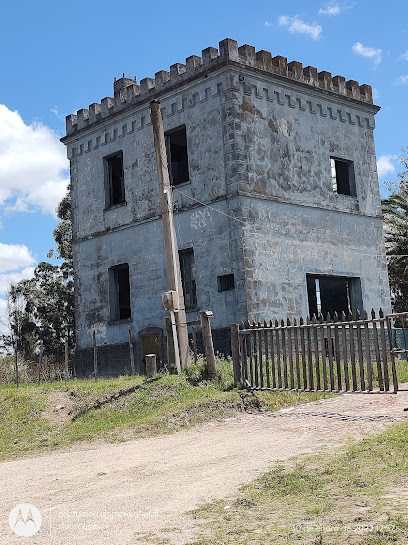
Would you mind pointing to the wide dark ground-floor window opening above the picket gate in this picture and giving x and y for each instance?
(330, 294)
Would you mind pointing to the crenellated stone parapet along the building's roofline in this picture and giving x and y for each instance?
(128, 93)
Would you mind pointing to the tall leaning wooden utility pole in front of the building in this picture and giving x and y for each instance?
(170, 240)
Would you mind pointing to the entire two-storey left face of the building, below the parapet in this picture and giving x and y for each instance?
(132, 233)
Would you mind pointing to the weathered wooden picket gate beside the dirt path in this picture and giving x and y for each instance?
(339, 353)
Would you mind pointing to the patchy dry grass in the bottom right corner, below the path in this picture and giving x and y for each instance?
(356, 497)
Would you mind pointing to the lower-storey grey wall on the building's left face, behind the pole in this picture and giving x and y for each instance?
(142, 247)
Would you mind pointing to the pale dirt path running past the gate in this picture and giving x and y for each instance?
(139, 492)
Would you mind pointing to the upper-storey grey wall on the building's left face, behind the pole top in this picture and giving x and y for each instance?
(132, 134)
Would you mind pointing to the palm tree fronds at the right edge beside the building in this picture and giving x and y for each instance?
(395, 210)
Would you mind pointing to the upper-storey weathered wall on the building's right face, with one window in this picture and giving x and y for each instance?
(290, 135)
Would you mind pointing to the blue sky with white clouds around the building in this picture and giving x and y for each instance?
(57, 57)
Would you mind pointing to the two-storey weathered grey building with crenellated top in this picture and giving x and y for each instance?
(275, 188)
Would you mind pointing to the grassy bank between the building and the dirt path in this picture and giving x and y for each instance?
(163, 404)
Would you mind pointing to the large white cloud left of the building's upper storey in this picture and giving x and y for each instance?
(33, 165)
